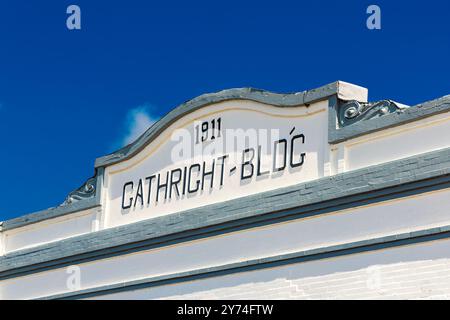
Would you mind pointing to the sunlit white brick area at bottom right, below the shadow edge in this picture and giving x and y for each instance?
(414, 280)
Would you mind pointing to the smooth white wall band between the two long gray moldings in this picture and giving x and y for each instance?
(390, 217)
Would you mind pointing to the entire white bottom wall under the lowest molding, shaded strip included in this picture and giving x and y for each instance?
(420, 271)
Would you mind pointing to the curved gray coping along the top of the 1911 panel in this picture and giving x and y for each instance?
(266, 97)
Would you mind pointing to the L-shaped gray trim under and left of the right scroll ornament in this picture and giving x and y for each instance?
(401, 117)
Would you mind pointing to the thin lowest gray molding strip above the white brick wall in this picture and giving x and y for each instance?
(372, 244)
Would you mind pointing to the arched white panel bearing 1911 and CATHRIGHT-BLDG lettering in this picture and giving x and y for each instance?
(247, 116)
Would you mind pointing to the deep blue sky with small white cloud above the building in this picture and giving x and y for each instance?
(68, 97)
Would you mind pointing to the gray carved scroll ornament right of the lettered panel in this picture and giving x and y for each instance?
(354, 111)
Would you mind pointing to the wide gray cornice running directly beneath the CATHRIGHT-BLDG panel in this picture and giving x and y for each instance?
(389, 179)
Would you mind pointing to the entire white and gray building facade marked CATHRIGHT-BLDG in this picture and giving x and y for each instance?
(247, 194)
